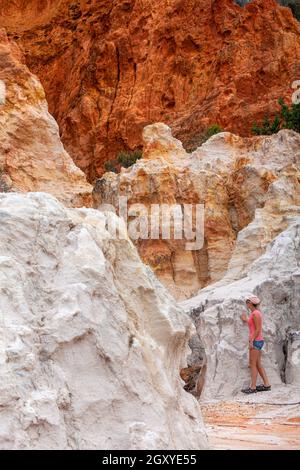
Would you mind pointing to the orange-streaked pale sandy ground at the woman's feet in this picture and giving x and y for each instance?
(266, 420)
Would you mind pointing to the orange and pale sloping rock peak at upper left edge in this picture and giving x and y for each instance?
(32, 157)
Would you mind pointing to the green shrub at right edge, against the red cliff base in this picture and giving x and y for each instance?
(288, 118)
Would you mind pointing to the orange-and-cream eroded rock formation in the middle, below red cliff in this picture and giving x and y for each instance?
(250, 189)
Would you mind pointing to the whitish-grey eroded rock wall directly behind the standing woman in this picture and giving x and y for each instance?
(275, 278)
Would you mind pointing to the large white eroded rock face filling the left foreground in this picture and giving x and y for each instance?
(91, 343)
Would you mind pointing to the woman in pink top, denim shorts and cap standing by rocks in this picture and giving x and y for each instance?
(256, 342)
